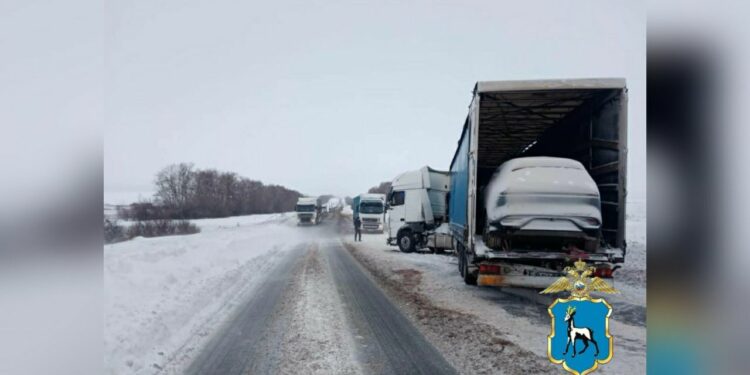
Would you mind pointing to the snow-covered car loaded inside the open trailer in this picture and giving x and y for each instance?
(542, 203)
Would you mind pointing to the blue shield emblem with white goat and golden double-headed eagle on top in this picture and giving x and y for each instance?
(580, 338)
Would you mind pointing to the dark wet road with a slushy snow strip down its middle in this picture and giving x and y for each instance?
(297, 322)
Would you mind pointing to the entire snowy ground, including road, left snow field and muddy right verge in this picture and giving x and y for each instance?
(260, 295)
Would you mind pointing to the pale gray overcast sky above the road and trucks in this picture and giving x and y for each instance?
(335, 97)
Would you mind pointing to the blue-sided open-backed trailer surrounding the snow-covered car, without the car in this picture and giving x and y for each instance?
(580, 119)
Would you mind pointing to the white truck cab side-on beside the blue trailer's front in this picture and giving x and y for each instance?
(417, 208)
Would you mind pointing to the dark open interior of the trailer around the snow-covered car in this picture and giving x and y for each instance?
(581, 123)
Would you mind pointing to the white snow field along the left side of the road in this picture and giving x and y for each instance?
(165, 296)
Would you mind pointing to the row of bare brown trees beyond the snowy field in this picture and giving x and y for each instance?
(184, 192)
